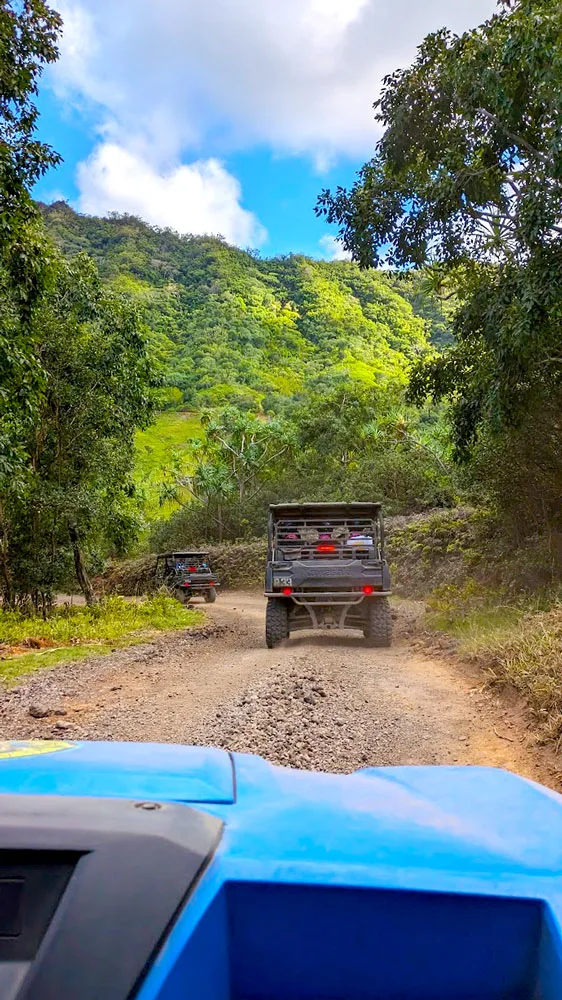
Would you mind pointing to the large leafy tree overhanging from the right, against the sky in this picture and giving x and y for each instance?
(467, 178)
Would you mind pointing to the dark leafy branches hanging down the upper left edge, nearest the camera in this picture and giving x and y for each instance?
(29, 31)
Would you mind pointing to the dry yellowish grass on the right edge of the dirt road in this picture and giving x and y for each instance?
(517, 645)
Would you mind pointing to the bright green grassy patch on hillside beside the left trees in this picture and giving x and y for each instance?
(172, 431)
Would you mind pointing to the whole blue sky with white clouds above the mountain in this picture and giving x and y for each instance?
(225, 116)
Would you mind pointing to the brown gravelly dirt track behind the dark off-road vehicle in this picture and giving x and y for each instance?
(320, 701)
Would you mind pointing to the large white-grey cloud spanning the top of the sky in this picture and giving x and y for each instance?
(300, 75)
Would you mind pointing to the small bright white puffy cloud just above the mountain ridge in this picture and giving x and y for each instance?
(200, 197)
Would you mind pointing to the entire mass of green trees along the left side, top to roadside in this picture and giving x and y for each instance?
(75, 373)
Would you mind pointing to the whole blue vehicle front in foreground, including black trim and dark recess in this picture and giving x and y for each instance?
(197, 873)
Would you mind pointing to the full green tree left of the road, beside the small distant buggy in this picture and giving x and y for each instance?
(76, 499)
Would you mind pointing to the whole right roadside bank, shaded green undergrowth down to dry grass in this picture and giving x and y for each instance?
(467, 562)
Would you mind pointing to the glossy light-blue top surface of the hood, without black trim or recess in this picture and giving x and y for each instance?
(452, 817)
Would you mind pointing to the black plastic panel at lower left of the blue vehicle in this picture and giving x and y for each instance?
(89, 889)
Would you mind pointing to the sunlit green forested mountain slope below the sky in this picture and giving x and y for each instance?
(228, 326)
